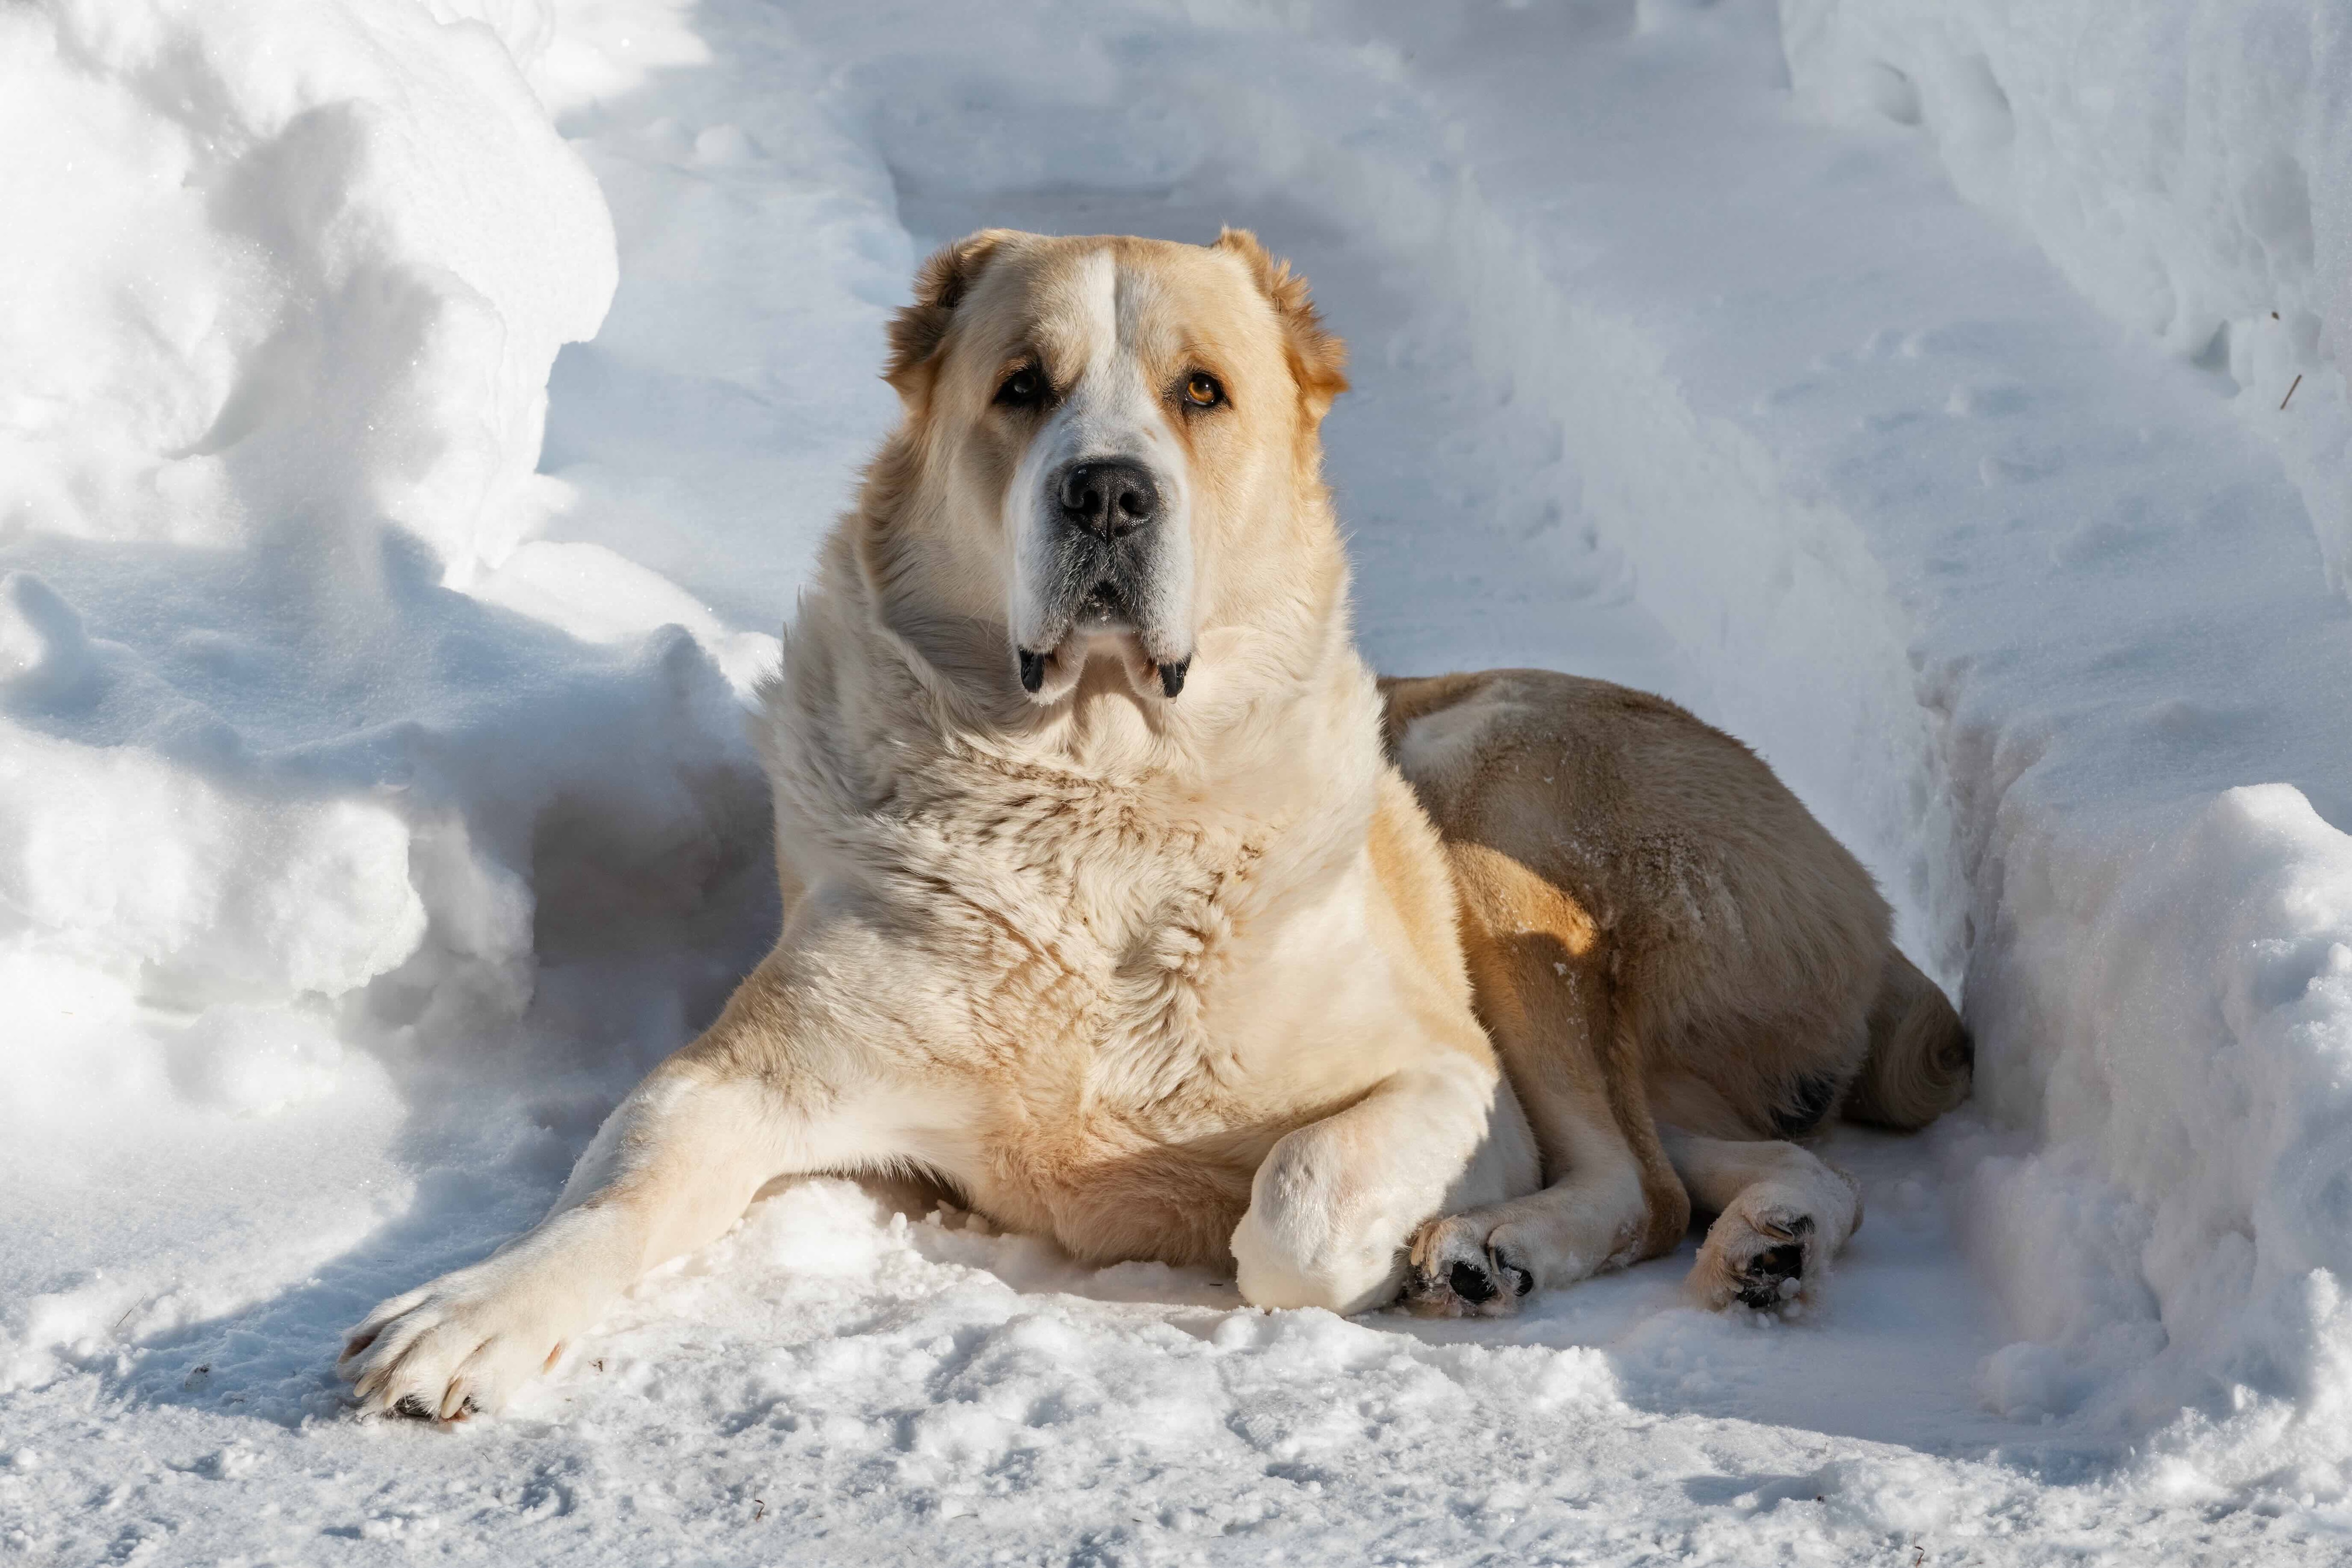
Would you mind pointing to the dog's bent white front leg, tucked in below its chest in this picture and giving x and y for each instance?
(1337, 1200)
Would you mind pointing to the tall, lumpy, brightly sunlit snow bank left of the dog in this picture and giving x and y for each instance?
(286, 286)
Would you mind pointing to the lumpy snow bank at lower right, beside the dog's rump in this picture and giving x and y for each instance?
(2177, 1024)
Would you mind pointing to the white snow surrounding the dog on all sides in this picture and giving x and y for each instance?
(415, 422)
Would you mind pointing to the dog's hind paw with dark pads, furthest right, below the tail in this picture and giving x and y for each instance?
(1779, 1217)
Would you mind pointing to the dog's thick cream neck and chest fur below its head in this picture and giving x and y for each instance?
(1118, 986)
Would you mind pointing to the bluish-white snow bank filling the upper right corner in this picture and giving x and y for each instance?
(2189, 166)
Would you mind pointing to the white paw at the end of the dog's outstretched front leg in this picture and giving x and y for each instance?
(455, 1348)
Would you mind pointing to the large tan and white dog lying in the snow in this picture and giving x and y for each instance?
(1132, 909)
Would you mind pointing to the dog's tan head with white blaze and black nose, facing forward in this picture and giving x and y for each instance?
(1109, 450)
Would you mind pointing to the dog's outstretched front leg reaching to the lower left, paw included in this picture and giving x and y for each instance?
(669, 1172)
